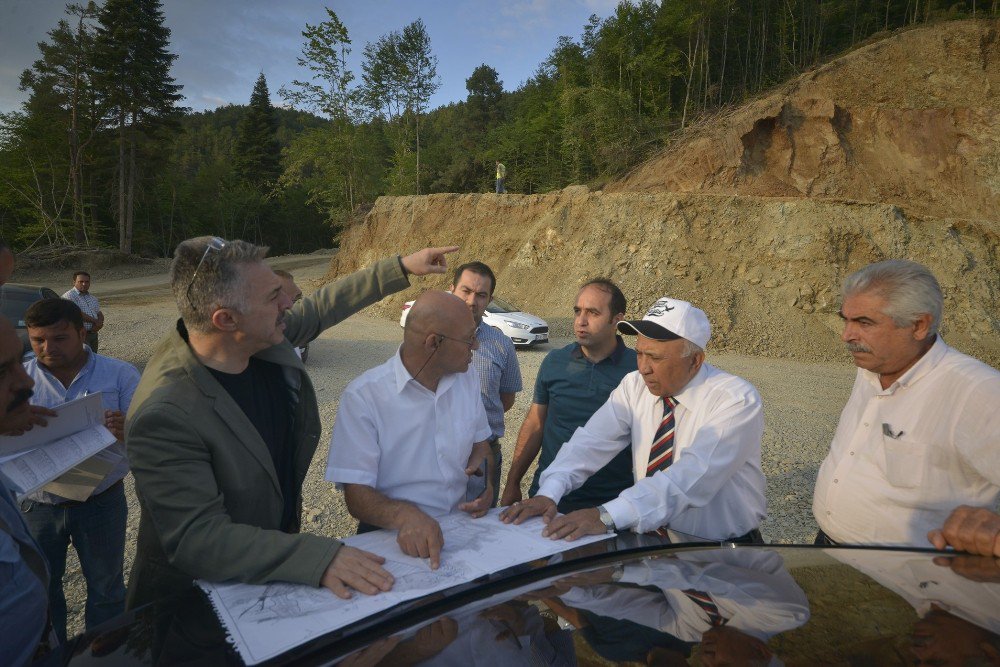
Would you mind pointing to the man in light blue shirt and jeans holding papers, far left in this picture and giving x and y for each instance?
(94, 521)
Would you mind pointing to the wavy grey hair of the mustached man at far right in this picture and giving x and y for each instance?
(909, 288)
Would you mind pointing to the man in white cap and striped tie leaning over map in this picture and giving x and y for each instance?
(695, 435)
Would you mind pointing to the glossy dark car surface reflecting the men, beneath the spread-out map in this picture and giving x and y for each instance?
(632, 599)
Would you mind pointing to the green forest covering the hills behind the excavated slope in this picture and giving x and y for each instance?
(103, 152)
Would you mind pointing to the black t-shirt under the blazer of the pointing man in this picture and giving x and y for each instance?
(264, 396)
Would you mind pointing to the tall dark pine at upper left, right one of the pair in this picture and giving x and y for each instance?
(133, 71)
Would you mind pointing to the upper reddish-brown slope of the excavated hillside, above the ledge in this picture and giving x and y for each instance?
(911, 120)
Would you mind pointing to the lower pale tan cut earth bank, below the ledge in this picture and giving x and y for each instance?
(767, 271)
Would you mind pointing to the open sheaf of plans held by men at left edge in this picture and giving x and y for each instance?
(68, 457)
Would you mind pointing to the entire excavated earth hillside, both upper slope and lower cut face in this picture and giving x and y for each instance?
(891, 151)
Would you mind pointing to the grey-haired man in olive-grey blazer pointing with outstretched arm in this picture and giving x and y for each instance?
(224, 425)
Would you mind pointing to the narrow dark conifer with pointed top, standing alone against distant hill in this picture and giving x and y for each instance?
(256, 155)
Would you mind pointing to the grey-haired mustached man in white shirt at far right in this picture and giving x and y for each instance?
(920, 434)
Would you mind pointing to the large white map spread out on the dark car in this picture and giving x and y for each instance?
(265, 621)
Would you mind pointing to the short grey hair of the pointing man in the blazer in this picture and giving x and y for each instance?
(218, 283)
